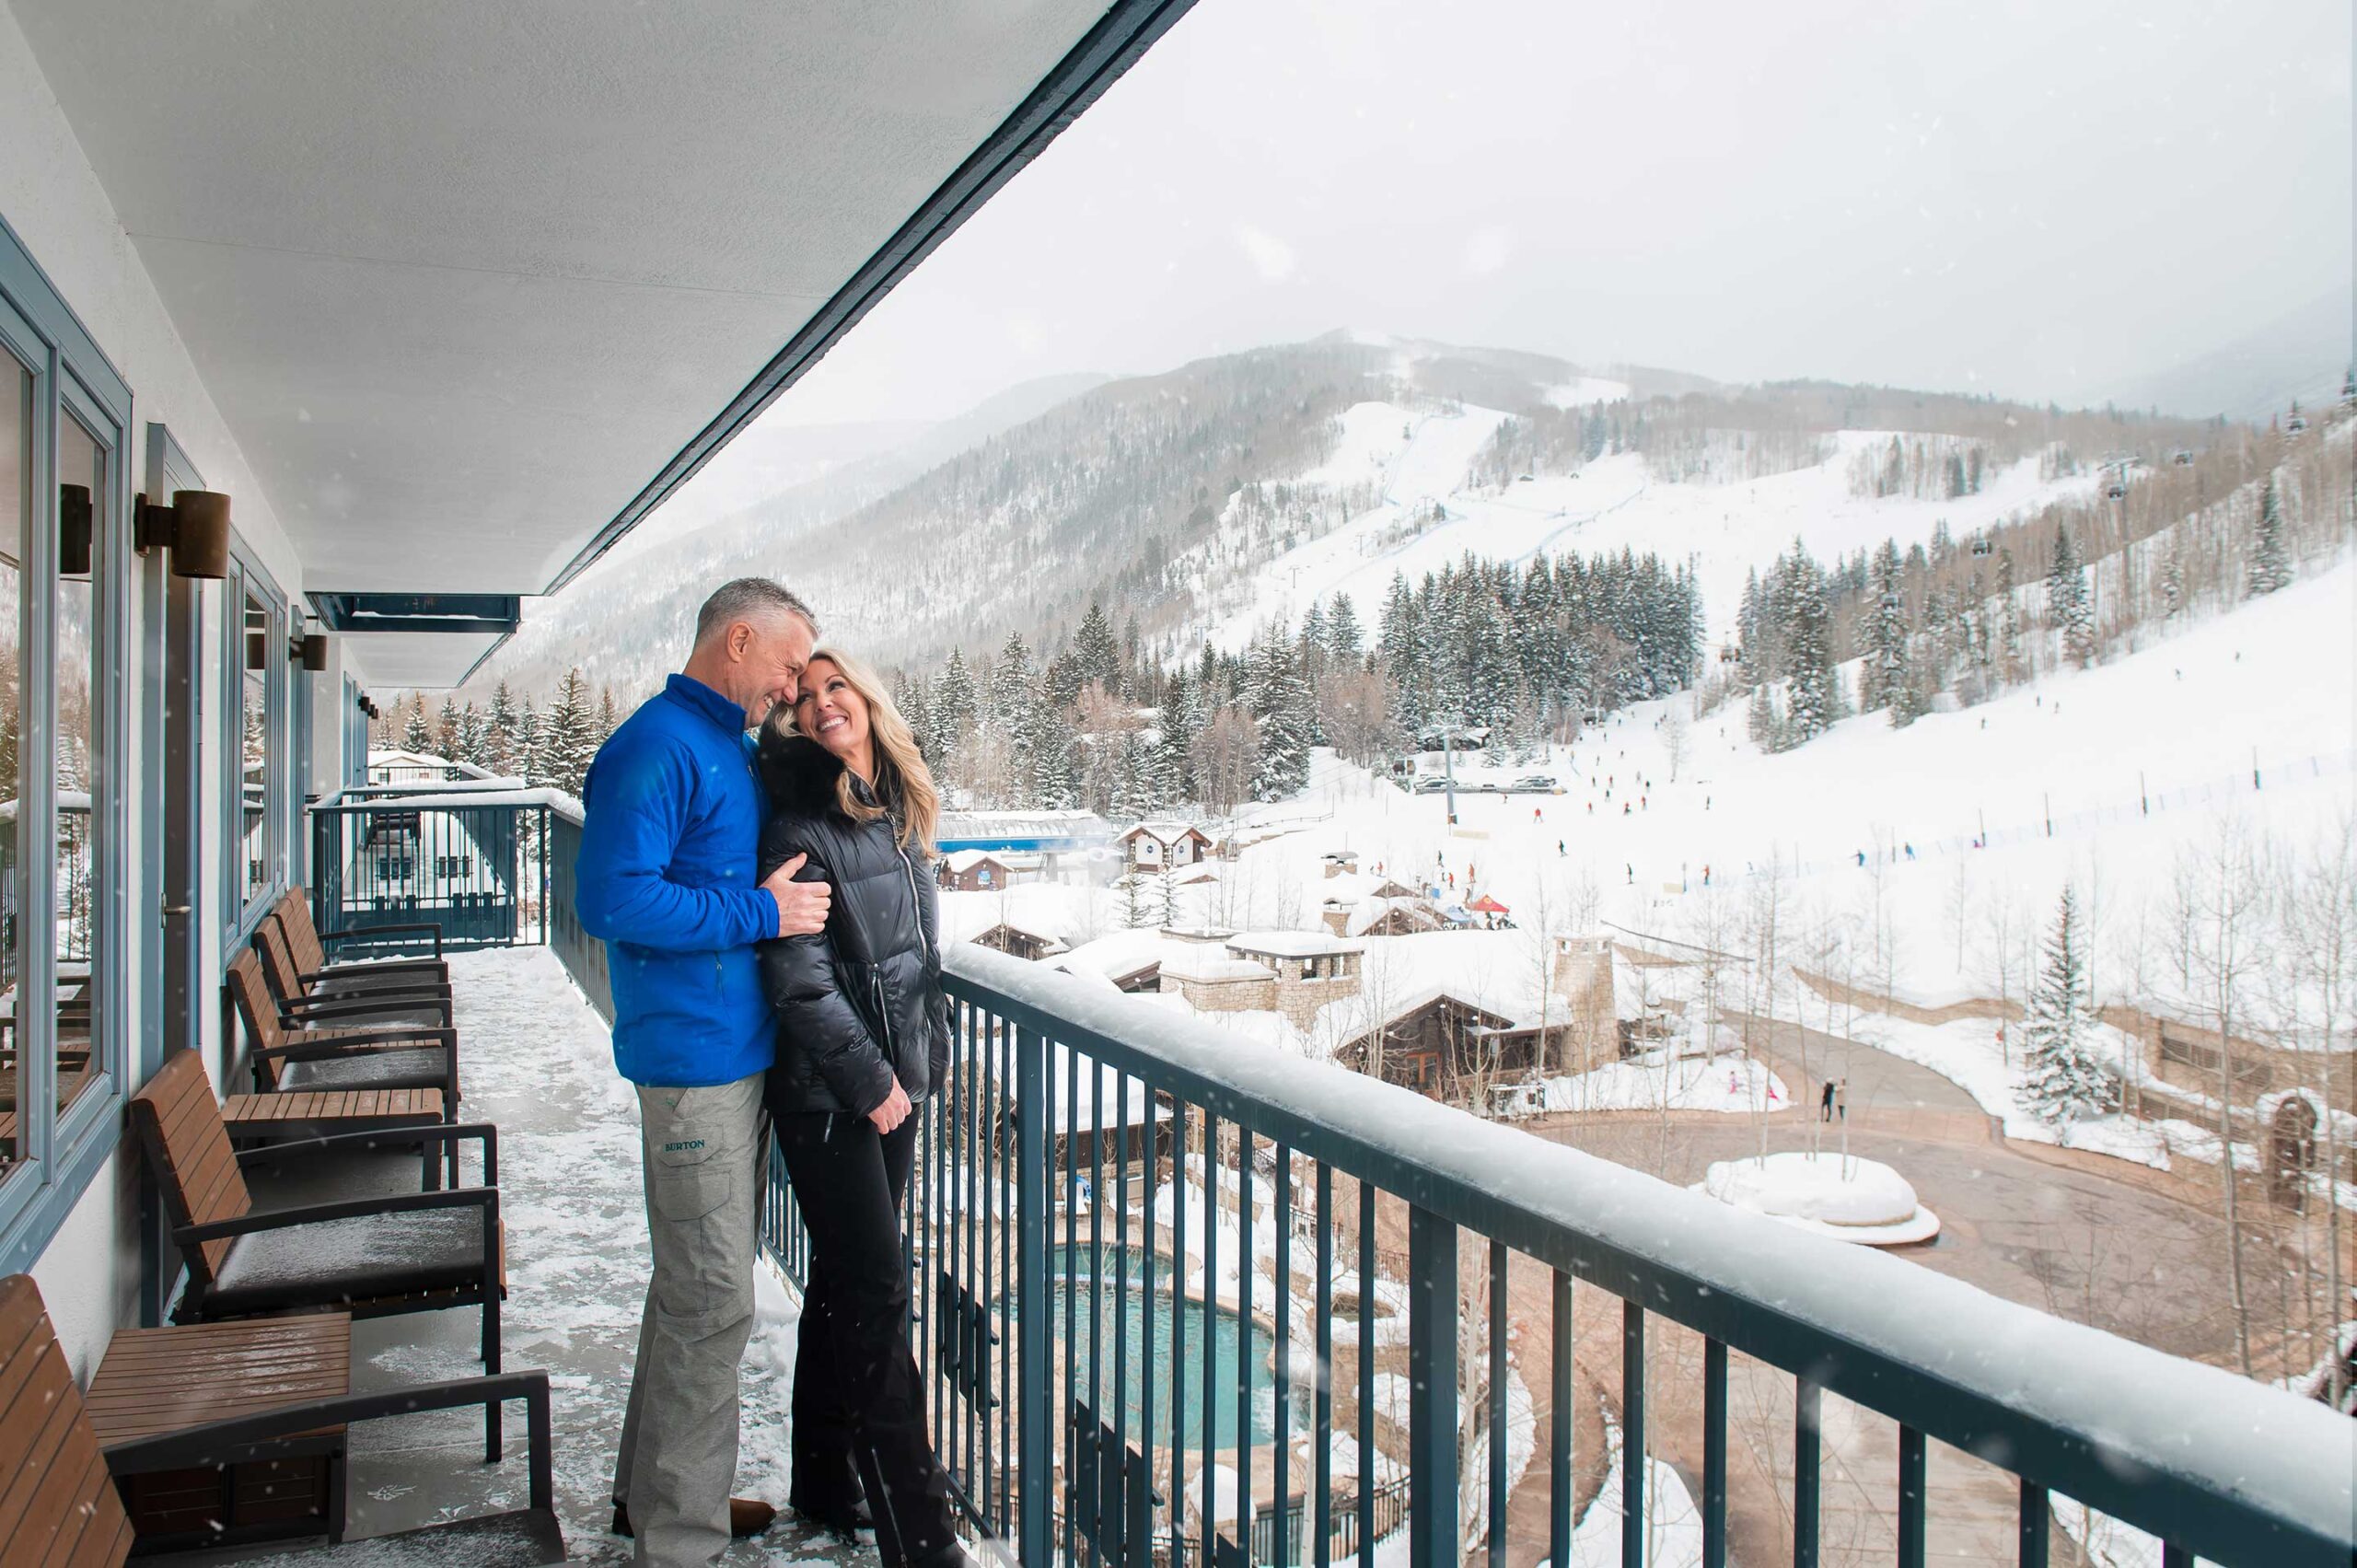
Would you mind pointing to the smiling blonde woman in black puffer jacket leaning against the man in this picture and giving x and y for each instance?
(864, 1032)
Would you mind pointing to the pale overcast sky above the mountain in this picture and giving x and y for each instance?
(2038, 199)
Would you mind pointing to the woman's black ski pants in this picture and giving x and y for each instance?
(857, 1388)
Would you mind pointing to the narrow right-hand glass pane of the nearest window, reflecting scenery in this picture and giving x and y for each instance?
(81, 466)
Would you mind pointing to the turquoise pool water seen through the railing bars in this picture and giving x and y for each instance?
(1123, 1310)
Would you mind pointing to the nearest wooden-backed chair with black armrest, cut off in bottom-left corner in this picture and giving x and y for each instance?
(60, 1506)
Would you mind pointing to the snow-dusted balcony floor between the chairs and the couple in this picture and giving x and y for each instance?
(539, 1062)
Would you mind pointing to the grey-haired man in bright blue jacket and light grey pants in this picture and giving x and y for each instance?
(668, 881)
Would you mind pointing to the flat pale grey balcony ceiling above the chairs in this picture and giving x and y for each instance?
(466, 279)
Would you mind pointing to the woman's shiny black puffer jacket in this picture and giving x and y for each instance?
(861, 1001)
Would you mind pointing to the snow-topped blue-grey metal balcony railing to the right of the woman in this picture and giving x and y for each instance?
(2203, 1458)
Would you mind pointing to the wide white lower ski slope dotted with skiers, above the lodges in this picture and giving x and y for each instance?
(2132, 763)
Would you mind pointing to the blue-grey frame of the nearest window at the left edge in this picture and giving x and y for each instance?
(60, 1152)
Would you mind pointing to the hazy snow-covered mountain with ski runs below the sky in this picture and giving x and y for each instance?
(1229, 492)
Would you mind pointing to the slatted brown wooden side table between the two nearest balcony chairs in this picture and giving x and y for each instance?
(161, 1381)
